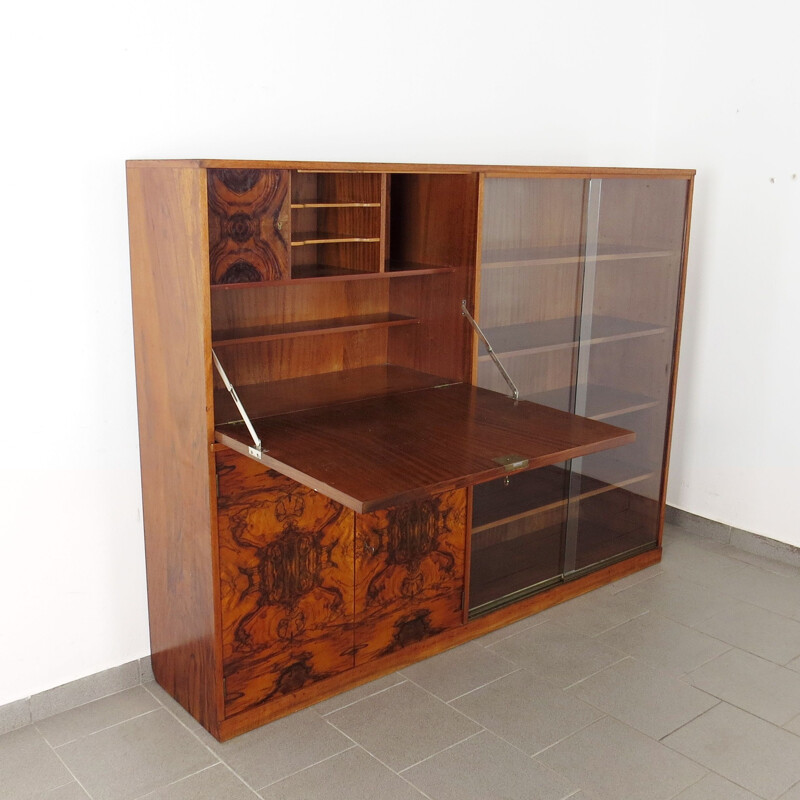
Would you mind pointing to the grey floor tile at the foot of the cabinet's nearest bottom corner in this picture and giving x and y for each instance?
(280, 748)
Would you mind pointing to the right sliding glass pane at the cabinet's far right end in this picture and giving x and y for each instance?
(630, 300)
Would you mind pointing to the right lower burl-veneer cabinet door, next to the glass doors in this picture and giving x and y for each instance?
(409, 573)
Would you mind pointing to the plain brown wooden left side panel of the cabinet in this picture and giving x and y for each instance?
(169, 266)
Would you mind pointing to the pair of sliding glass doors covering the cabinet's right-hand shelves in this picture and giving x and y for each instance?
(579, 295)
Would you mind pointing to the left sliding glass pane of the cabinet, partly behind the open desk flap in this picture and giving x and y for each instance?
(531, 276)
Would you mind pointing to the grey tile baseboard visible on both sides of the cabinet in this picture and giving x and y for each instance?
(19, 713)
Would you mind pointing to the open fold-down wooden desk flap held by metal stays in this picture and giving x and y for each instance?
(385, 451)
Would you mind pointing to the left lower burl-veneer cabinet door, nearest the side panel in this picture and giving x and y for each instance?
(286, 583)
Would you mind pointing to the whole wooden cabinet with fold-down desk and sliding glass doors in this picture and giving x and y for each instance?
(370, 492)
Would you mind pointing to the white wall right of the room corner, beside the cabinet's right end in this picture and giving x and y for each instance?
(730, 106)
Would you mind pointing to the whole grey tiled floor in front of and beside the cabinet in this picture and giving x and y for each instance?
(682, 681)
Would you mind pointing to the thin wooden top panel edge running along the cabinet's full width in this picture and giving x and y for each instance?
(347, 166)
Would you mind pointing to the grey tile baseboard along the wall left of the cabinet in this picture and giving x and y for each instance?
(20, 713)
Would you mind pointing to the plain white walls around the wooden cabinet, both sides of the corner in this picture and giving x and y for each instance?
(575, 82)
